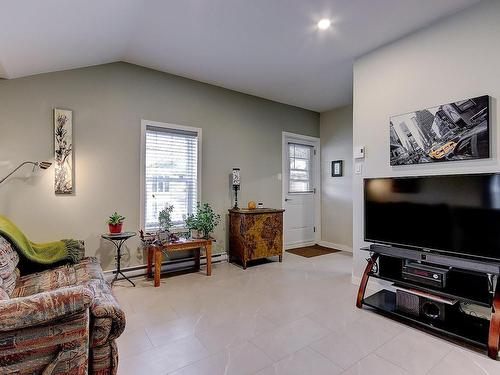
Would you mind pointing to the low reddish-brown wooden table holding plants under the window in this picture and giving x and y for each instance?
(155, 254)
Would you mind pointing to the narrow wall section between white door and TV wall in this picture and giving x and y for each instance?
(336, 192)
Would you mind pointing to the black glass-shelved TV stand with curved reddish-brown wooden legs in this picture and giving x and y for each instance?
(471, 282)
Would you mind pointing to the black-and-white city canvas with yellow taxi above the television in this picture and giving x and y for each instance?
(453, 131)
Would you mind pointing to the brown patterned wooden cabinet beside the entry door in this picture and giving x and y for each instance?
(255, 234)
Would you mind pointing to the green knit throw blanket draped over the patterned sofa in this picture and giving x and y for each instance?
(42, 253)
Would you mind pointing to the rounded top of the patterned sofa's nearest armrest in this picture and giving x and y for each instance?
(43, 308)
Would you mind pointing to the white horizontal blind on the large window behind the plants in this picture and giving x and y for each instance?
(171, 174)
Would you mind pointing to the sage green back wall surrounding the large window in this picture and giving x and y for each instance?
(109, 102)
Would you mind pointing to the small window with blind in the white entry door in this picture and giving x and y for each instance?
(300, 167)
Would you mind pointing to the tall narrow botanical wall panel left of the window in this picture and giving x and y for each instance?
(63, 151)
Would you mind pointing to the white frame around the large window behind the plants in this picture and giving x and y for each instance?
(164, 125)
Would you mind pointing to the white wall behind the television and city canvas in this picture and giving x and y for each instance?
(455, 59)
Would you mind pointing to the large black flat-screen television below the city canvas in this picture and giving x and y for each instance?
(457, 214)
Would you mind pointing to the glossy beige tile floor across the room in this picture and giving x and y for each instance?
(296, 317)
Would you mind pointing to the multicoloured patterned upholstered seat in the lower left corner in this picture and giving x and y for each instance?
(60, 321)
